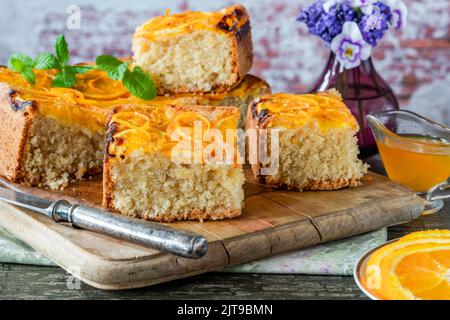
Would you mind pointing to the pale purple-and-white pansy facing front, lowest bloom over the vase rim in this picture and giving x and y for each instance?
(350, 47)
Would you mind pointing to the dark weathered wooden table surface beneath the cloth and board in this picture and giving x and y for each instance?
(33, 282)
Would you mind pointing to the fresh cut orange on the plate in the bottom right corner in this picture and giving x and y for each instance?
(416, 266)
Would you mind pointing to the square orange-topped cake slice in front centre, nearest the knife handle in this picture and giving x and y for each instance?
(157, 165)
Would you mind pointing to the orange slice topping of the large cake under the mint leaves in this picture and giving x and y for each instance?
(87, 104)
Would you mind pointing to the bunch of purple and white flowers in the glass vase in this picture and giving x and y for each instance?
(351, 27)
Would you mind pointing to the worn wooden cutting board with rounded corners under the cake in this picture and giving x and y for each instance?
(273, 222)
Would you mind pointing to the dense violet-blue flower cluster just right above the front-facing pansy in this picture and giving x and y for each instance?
(374, 24)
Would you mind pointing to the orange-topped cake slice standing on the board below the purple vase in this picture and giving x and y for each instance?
(316, 148)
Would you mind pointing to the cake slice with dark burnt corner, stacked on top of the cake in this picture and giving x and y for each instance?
(195, 51)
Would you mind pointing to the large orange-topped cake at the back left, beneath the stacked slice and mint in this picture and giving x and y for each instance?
(50, 135)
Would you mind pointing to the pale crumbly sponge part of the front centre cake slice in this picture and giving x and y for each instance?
(156, 188)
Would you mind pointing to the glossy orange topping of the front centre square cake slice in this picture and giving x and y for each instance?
(151, 129)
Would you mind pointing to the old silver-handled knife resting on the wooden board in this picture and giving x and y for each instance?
(156, 235)
